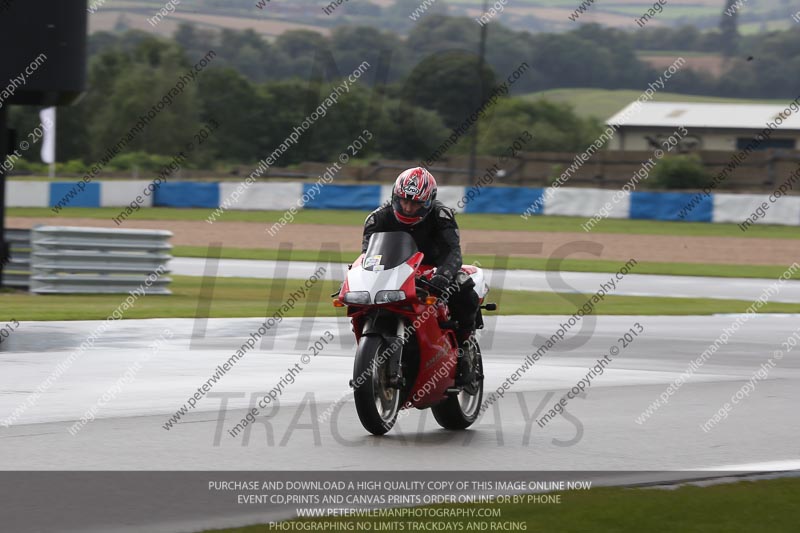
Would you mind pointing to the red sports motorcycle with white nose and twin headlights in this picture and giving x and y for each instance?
(407, 350)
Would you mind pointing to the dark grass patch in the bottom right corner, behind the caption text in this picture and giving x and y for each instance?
(766, 506)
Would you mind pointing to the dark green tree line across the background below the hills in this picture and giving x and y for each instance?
(416, 91)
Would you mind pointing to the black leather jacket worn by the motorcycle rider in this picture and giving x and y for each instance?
(436, 236)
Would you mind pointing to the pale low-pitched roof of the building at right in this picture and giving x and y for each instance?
(705, 115)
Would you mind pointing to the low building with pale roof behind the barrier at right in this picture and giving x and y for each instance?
(723, 127)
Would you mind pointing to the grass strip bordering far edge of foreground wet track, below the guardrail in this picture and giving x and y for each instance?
(247, 297)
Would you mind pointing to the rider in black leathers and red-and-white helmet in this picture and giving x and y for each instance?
(414, 209)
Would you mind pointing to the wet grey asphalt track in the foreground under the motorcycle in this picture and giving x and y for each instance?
(596, 432)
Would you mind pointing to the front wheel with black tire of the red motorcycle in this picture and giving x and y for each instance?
(377, 404)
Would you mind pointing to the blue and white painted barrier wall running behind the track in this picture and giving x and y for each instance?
(280, 196)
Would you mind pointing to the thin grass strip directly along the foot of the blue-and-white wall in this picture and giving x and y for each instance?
(465, 221)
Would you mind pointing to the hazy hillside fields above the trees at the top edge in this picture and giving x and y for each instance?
(531, 15)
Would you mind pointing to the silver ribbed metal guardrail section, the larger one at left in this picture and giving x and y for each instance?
(70, 260)
